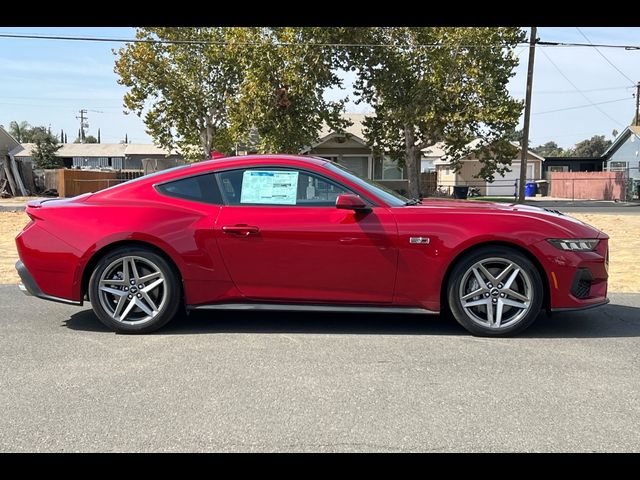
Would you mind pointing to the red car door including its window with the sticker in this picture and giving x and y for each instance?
(283, 239)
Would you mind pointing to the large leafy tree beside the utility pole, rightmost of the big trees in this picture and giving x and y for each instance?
(439, 84)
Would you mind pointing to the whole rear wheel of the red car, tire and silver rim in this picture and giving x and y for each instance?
(134, 290)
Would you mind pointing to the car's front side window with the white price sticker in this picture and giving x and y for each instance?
(264, 186)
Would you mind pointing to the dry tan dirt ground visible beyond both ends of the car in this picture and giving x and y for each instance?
(624, 231)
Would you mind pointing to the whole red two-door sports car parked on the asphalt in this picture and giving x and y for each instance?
(277, 232)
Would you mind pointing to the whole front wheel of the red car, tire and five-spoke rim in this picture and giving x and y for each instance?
(487, 313)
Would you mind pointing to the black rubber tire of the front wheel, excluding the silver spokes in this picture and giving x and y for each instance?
(462, 271)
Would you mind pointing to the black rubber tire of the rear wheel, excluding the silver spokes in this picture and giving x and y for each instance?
(169, 302)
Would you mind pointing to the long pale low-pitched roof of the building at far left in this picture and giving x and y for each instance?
(96, 150)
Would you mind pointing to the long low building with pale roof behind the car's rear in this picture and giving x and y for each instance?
(118, 156)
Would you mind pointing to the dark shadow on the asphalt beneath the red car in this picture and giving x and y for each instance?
(608, 321)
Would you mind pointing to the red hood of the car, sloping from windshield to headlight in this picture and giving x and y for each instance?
(571, 227)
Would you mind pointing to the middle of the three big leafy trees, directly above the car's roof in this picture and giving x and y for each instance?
(281, 92)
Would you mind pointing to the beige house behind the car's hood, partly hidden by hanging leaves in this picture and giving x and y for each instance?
(501, 186)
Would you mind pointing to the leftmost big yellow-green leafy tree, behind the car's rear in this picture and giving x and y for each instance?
(182, 90)
